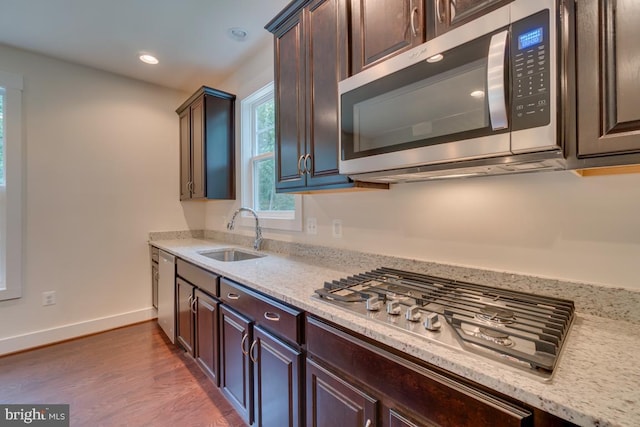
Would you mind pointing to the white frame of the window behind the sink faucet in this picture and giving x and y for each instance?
(291, 221)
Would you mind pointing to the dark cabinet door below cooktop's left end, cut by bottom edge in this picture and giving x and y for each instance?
(332, 401)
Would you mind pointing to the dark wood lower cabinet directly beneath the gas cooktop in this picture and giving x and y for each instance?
(362, 384)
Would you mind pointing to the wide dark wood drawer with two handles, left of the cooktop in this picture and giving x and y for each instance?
(273, 315)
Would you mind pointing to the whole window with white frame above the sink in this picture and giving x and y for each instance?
(276, 210)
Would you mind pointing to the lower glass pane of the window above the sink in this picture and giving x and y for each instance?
(266, 198)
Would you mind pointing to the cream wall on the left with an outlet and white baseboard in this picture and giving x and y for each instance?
(102, 164)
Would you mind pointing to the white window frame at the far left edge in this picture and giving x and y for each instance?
(12, 232)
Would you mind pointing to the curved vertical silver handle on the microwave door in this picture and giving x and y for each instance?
(496, 73)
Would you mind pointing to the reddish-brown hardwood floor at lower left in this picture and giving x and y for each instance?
(131, 376)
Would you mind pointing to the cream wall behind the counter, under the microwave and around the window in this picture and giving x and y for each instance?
(552, 224)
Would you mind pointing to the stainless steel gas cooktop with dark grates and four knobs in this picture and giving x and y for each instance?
(516, 328)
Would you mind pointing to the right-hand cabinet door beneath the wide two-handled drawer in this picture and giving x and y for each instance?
(276, 381)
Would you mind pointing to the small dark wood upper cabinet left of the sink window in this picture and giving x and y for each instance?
(207, 150)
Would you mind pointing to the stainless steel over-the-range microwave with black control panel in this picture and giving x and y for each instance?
(484, 98)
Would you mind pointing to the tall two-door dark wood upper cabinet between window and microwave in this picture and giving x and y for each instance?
(311, 57)
